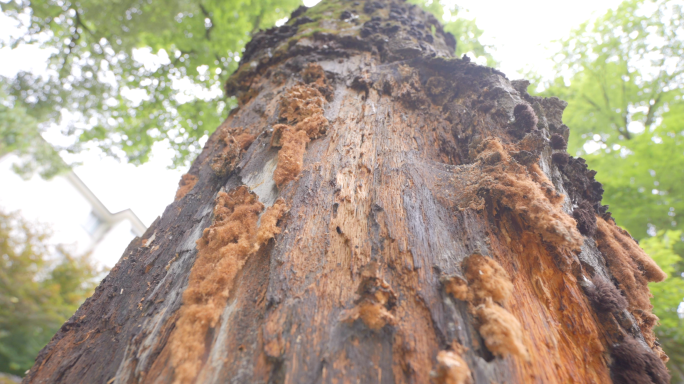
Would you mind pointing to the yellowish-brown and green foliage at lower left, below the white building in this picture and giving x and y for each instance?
(40, 287)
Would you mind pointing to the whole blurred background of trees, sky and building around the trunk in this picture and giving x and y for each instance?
(104, 104)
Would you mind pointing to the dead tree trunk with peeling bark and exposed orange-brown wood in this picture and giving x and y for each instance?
(374, 211)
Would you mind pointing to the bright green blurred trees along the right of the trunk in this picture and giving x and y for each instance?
(623, 76)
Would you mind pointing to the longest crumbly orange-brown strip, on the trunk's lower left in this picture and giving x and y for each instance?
(223, 251)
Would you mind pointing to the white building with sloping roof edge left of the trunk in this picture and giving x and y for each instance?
(75, 215)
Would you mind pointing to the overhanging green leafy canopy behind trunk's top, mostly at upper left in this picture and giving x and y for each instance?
(122, 70)
